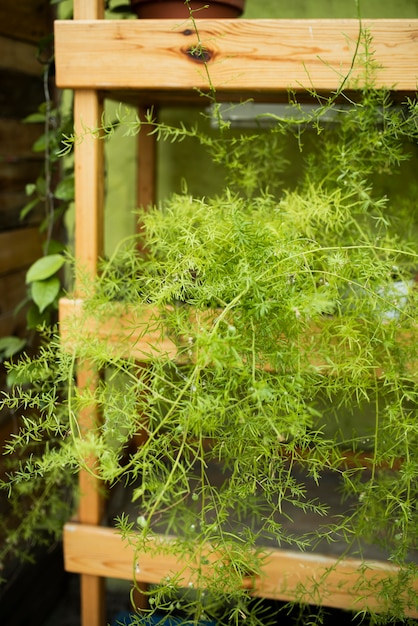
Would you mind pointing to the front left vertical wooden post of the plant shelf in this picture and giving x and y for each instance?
(89, 237)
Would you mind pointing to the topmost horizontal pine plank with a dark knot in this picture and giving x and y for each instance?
(246, 56)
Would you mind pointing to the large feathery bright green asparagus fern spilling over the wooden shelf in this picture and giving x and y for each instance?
(283, 309)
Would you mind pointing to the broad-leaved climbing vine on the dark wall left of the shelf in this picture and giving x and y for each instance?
(53, 190)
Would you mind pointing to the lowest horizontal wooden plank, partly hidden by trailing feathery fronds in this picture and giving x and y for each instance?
(101, 551)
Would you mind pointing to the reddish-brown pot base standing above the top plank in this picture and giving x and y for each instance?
(146, 9)
